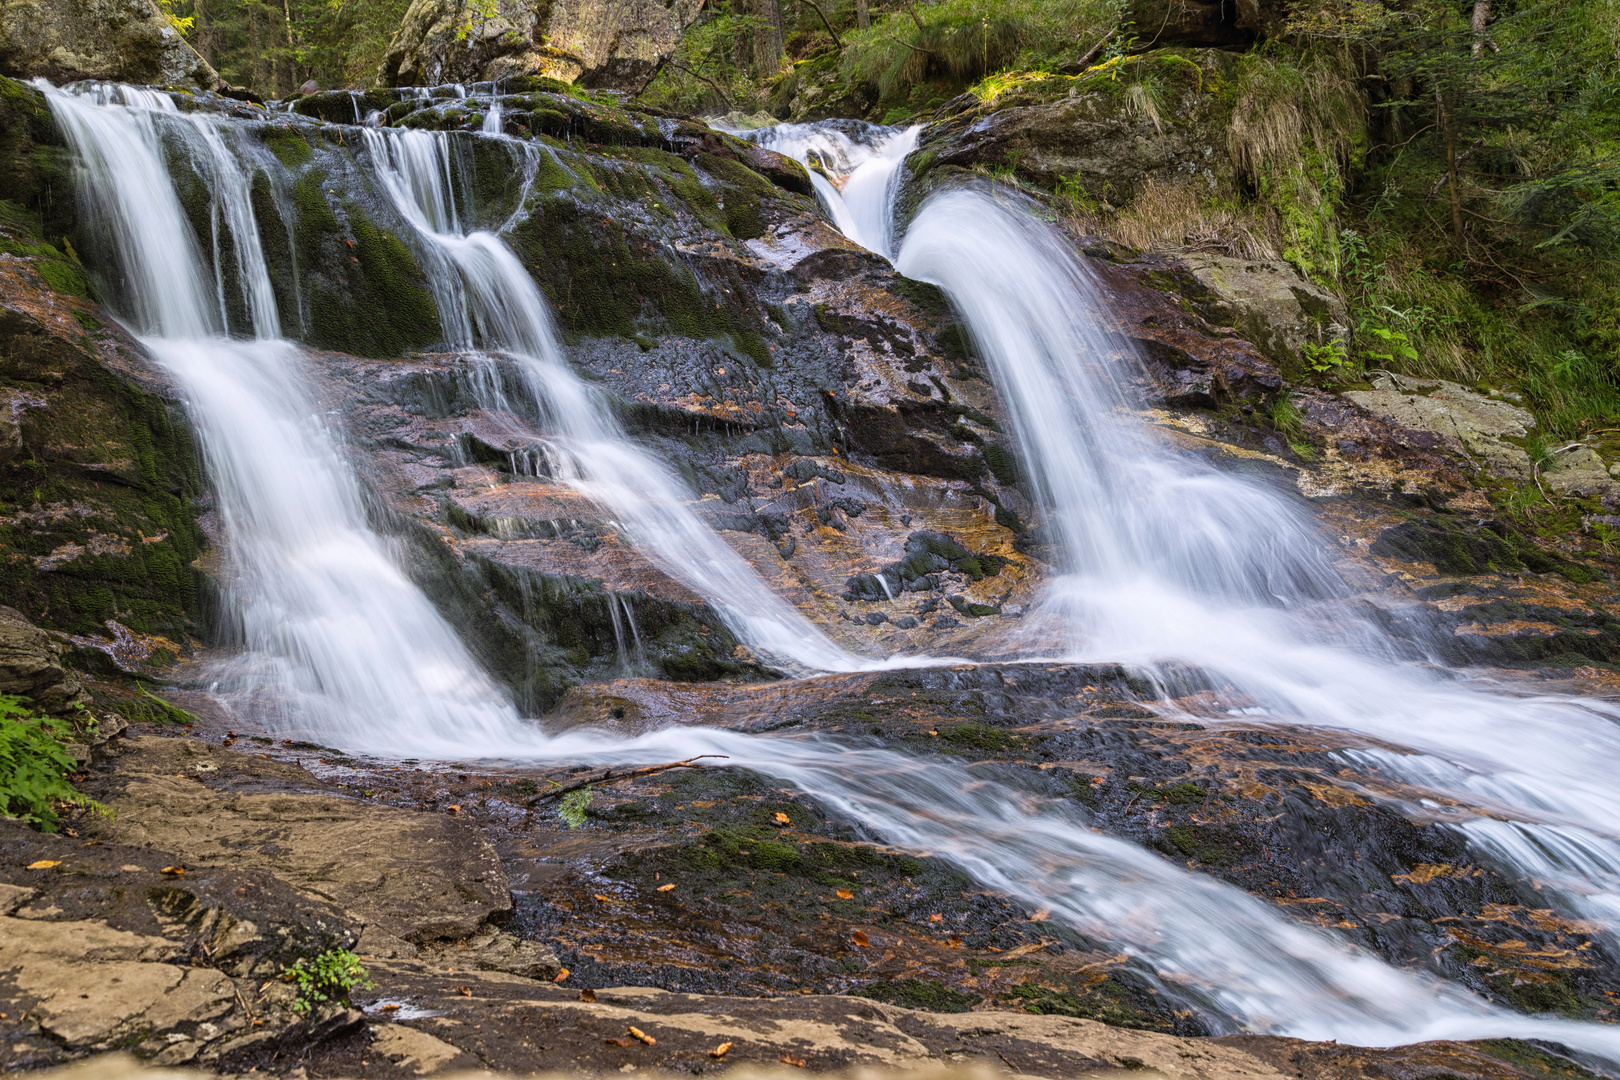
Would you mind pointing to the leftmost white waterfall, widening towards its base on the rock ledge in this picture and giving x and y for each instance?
(339, 644)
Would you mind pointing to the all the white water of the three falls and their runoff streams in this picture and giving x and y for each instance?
(341, 640)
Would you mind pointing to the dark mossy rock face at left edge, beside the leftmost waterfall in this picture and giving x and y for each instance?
(98, 495)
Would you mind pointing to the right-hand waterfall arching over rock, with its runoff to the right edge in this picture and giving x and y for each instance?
(1172, 561)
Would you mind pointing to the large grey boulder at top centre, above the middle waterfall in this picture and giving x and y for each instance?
(602, 45)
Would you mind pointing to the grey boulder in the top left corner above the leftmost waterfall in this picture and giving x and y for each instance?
(124, 41)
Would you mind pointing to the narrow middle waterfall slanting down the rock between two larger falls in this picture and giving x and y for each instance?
(490, 304)
